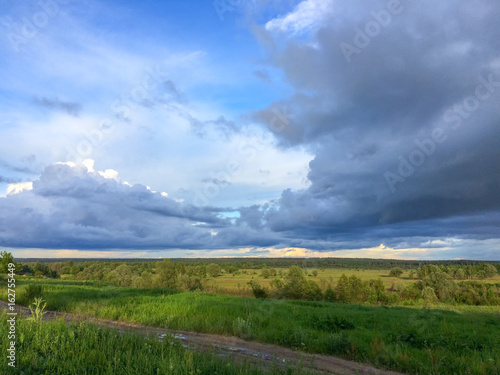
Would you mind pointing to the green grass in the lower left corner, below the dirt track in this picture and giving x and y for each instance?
(59, 348)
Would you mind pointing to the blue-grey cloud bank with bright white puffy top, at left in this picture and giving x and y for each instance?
(77, 208)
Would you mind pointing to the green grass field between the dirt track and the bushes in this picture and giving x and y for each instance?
(439, 340)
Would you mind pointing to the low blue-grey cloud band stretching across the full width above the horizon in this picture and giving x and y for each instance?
(75, 207)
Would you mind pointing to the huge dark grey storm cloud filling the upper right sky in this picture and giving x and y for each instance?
(405, 130)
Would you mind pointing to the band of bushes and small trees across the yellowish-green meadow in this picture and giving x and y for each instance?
(451, 283)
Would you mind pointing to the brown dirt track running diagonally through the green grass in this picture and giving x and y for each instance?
(228, 346)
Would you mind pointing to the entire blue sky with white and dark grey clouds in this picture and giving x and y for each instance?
(265, 128)
